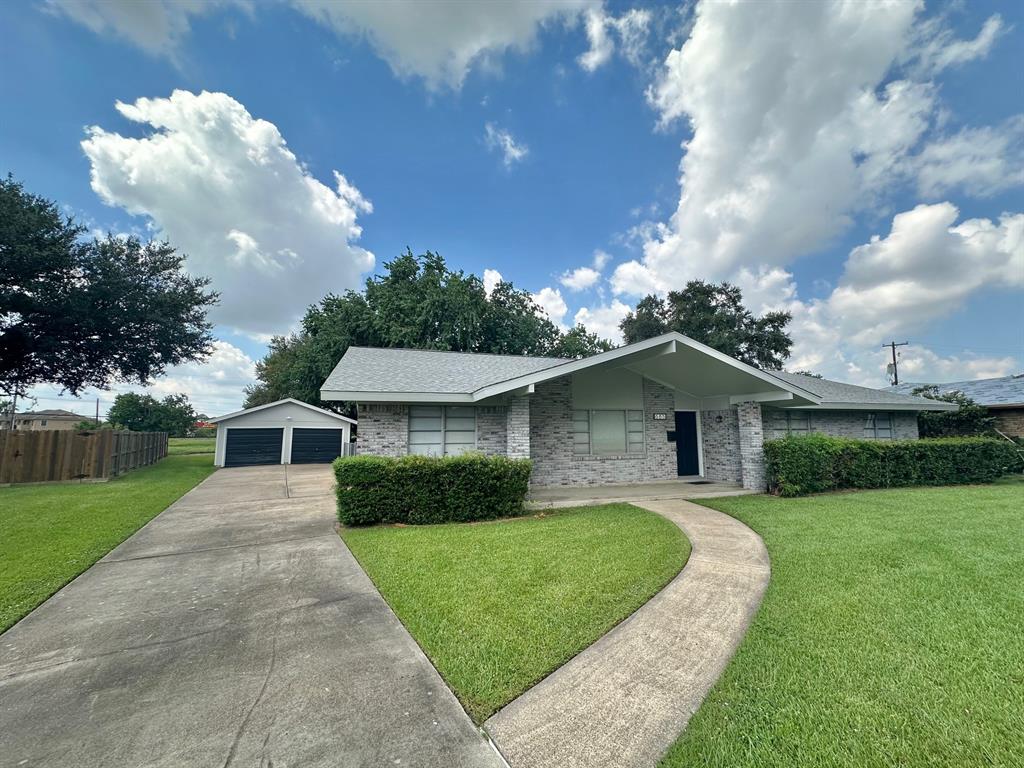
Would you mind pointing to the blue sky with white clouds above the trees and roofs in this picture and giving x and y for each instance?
(861, 166)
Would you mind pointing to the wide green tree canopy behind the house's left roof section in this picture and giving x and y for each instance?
(417, 304)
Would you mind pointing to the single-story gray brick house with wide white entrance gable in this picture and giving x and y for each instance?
(658, 410)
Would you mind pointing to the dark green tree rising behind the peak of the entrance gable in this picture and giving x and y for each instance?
(714, 315)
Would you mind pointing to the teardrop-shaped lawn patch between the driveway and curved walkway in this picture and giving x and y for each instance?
(497, 607)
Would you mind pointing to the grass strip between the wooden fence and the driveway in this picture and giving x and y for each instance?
(51, 534)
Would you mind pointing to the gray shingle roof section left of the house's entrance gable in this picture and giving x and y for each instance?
(374, 370)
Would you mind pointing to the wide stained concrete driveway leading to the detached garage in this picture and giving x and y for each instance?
(234, 629)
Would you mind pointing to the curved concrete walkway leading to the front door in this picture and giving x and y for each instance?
(624, 701)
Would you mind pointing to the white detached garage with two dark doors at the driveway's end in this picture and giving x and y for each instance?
(284, 433)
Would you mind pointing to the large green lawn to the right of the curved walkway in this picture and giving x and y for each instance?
(892, 634)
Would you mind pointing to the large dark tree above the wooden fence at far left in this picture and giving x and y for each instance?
(80, 314)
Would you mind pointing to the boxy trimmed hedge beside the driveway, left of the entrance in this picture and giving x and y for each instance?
(421, 490)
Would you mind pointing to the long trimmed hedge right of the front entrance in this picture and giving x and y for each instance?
(813, 464)
